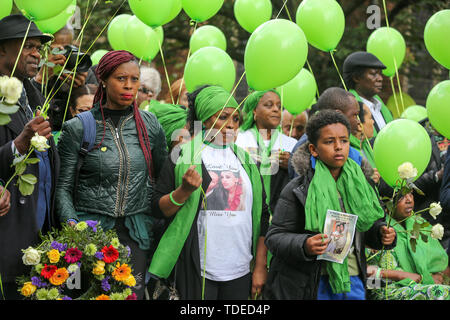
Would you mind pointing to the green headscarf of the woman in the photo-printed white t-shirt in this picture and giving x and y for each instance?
(212, 99)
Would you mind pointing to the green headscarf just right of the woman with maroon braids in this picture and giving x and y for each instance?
(171, 117)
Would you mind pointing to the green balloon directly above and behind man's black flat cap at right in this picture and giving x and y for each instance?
(388, 45)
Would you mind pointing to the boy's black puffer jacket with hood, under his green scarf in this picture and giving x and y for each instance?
(293, 274)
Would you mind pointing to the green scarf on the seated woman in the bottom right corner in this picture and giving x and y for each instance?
(429, 257)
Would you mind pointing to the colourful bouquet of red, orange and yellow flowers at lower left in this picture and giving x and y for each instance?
(65, 256)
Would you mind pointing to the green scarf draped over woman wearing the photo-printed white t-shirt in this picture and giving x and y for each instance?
(172, 241)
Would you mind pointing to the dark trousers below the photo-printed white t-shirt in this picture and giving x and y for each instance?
(237, 289)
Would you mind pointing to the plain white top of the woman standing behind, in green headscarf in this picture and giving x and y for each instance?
(247, 141)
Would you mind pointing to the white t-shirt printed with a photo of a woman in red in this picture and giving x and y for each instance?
(227, 221)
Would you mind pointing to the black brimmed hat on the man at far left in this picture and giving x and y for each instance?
(15, 27)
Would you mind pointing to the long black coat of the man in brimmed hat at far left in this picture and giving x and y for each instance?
(18, 228)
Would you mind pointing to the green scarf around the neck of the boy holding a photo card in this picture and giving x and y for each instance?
(358, 198)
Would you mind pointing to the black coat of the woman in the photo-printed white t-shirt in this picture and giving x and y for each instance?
(187, 272)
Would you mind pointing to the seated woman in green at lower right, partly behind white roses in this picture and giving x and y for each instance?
(420, 274)
